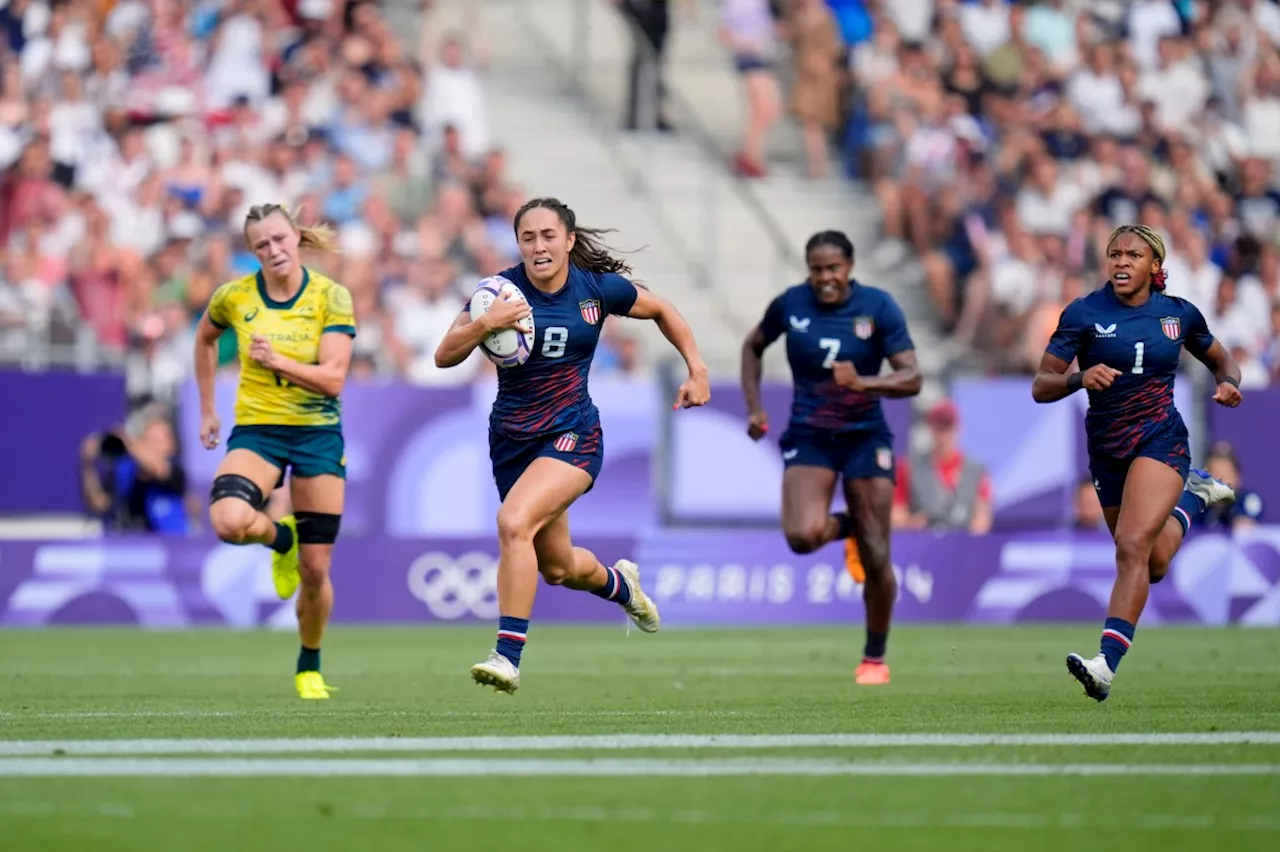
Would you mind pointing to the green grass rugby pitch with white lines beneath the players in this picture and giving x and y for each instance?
(726, 740)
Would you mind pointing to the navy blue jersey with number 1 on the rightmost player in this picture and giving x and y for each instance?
(1145, 345)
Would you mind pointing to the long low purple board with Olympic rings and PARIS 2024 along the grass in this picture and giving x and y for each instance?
(698, 578)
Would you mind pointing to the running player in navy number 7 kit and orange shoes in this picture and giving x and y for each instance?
(839, 335)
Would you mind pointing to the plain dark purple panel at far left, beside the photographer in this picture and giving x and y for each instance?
(49, 415)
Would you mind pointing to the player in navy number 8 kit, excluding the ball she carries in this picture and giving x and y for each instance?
(545, 430)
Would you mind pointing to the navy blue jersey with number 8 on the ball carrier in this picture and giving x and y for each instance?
(547, 395)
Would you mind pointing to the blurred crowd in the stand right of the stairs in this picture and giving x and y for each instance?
(1004, 141)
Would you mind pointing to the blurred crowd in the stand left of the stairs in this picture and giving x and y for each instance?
(136, 134)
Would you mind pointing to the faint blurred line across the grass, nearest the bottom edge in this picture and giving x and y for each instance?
(62, 809)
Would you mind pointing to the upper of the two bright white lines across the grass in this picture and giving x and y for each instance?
(618, 743)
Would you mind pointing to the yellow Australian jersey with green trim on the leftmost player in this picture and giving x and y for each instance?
(295, 329)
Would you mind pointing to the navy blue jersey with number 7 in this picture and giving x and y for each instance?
(866, 329)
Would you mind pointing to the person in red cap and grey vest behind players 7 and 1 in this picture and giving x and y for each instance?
(943, 489)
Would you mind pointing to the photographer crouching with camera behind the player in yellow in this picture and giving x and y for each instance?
(132, 478)
